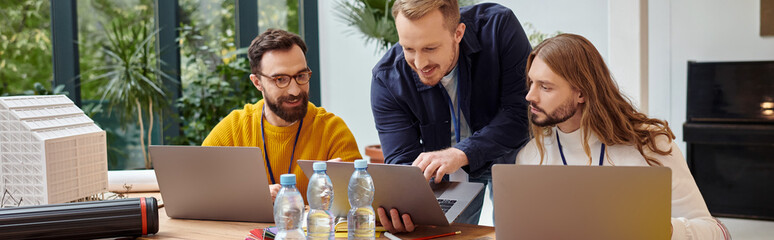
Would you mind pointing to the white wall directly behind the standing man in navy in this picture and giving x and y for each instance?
(346, 60)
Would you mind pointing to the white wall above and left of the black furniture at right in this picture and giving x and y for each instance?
(701, 30)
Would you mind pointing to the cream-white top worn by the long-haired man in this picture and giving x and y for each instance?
(690, 217)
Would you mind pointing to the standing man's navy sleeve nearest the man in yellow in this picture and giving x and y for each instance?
(398, 131)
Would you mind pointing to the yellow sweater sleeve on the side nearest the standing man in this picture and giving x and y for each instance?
(343, 144)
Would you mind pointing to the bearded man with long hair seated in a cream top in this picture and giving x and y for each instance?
(577, 113)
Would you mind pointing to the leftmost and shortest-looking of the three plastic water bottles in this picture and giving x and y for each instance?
(289, 209)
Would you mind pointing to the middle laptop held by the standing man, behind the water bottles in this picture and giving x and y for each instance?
(404, 188)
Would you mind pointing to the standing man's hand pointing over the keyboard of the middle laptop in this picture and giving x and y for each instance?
(440, 163)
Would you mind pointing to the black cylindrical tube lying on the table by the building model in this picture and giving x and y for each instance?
(83, 220)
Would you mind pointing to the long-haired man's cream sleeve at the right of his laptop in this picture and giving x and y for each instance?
(690, 217)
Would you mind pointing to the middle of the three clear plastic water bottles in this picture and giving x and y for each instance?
(320, 196)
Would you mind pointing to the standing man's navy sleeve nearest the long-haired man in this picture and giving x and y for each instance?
(508, 129)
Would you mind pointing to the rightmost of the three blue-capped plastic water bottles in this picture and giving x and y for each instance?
(361, 220)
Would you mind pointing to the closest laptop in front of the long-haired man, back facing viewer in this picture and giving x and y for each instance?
(581, 202)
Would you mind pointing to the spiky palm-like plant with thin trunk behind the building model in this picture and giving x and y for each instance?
(130, 79)
